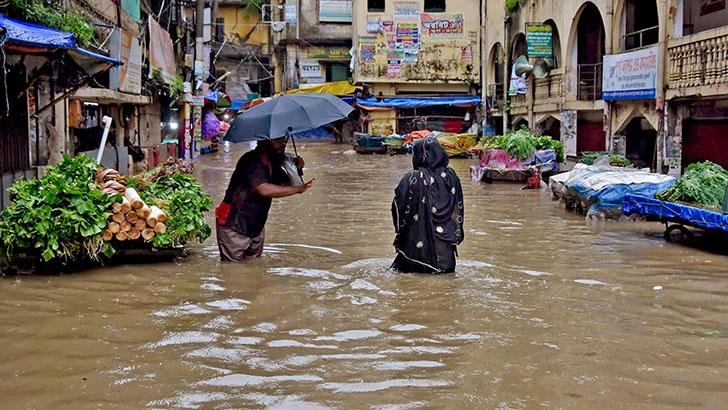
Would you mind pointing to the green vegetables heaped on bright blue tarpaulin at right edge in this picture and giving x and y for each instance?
(703, 183)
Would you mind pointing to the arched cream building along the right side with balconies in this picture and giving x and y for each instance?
(645, 79)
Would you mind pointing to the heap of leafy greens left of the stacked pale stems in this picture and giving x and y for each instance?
(61, 214)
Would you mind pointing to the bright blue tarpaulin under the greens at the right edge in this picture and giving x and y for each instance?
(686, 214)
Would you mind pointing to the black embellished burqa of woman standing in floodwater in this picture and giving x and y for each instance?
(428, 212)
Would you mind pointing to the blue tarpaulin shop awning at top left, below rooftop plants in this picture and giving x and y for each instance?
(27, 35)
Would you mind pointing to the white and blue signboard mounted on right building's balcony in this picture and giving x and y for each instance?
(631, 76)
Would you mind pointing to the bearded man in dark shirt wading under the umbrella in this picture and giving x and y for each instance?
(241, 216)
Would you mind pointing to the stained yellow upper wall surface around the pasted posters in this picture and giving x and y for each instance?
(441, 59)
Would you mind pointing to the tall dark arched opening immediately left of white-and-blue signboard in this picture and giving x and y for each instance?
(589, 47)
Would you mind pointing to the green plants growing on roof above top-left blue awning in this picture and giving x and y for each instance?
(53, 15)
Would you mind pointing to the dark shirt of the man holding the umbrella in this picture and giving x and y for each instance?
(249, 211)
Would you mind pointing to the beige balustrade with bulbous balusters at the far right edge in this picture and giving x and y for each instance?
(698, 60)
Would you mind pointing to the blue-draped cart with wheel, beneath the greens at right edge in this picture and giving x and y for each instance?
(676, 216)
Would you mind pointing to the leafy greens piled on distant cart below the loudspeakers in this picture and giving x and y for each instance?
(523, 143)
